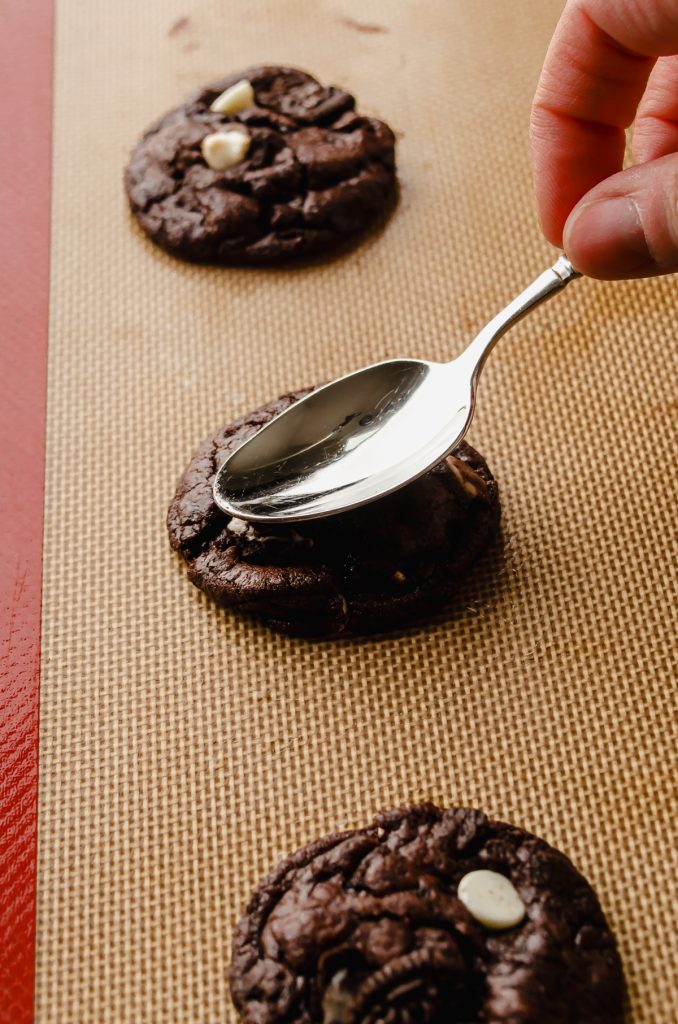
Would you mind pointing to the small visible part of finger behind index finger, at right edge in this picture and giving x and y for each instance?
(656, 133)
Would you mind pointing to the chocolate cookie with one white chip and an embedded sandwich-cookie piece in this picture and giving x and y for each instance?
(430, 917)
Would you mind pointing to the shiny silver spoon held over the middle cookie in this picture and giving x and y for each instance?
(368, 434)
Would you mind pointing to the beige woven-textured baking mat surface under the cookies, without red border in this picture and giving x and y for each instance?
(184, 749)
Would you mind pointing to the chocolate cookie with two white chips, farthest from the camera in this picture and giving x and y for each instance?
(265, 166)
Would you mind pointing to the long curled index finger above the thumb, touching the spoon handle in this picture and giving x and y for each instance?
(594, 79)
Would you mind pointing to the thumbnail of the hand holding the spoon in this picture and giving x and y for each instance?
(606, 239)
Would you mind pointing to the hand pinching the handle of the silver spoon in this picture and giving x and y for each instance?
(611, 62)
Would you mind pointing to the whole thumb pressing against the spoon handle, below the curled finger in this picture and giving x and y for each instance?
(627, 227)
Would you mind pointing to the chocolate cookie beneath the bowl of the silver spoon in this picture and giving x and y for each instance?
(366, 570)
